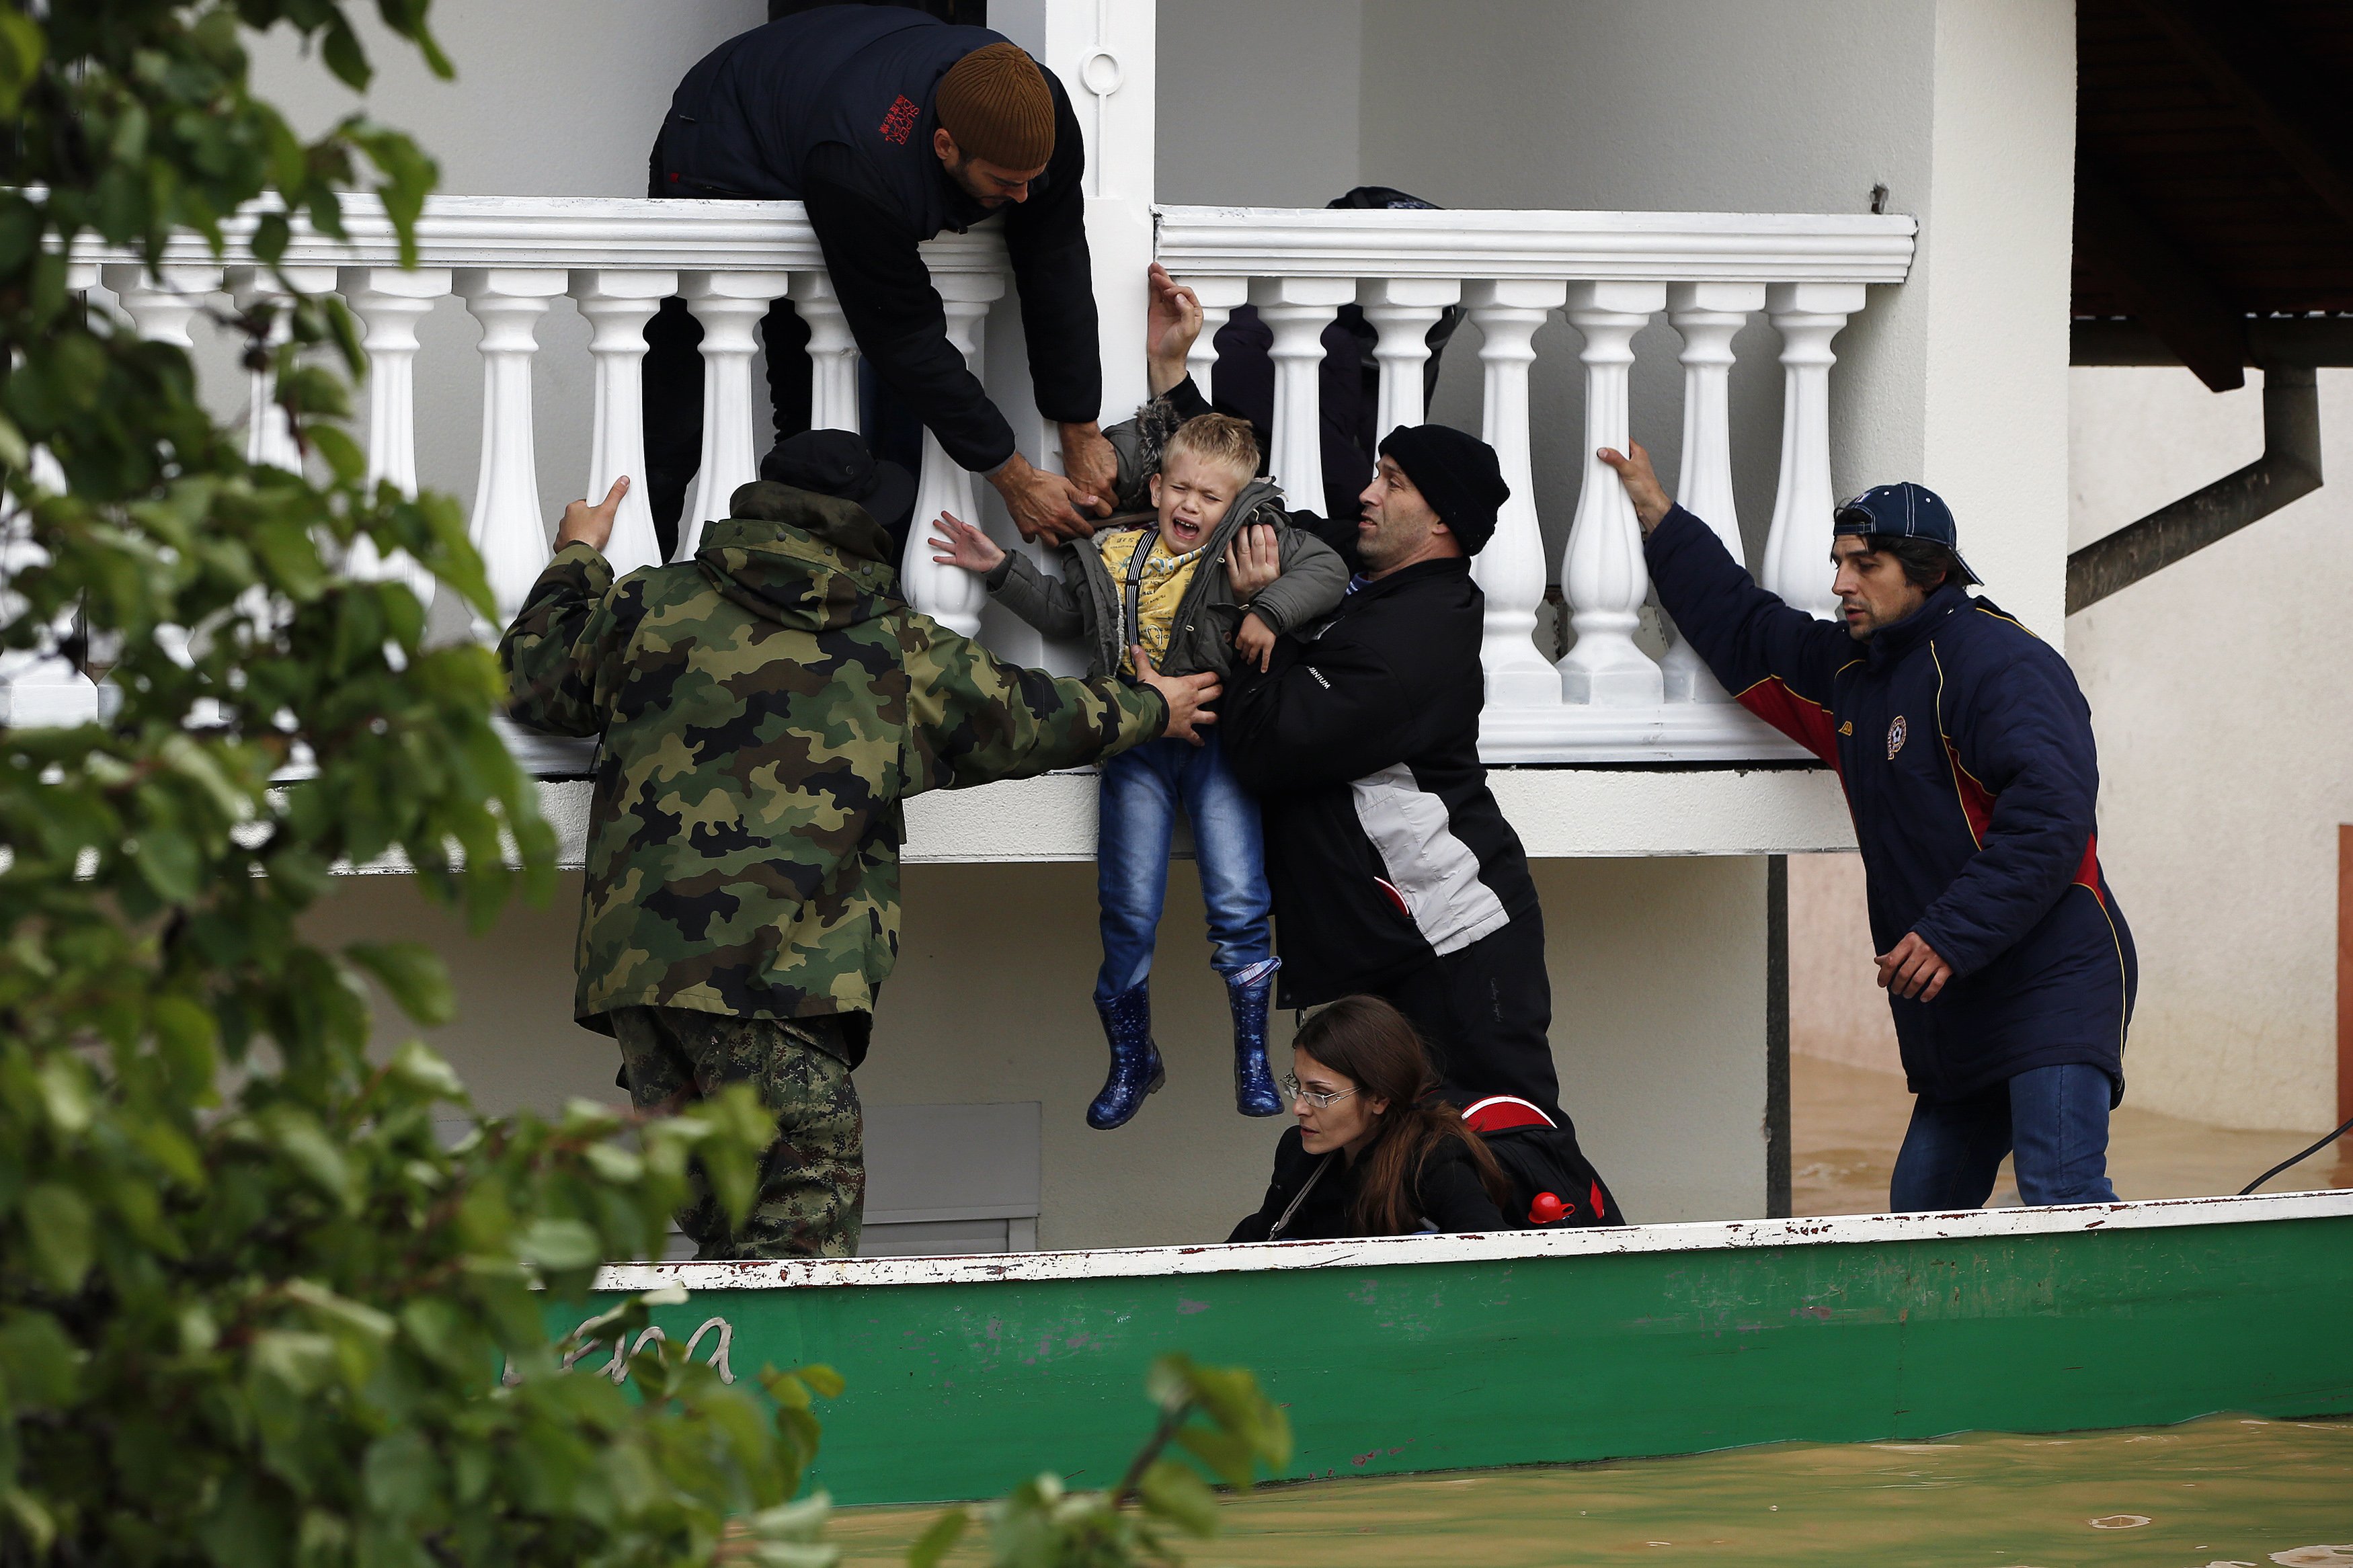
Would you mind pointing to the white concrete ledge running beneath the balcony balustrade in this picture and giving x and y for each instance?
(1559, 812)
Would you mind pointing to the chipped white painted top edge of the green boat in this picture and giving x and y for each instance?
(1382, 1252)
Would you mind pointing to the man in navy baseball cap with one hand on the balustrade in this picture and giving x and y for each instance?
(1966, 753)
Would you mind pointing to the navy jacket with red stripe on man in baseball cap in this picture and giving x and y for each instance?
(1966, 751)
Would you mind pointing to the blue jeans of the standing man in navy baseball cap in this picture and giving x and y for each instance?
(2053, 1118)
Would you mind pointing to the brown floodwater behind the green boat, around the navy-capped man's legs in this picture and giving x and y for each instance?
(1848, 1125)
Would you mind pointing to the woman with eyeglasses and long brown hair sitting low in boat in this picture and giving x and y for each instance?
(1375, 1153)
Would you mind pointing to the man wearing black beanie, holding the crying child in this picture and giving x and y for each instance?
(1392, 864)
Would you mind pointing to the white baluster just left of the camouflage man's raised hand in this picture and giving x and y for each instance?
(507, 528)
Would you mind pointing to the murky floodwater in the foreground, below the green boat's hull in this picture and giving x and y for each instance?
(2211, 1494)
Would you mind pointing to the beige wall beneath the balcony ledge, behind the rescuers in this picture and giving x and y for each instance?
(992, 1003)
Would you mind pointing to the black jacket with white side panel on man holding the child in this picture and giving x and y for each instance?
(1385, 847)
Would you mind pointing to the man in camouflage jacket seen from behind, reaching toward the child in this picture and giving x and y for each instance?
(766, 711)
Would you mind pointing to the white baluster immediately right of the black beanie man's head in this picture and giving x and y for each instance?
(1512, 568)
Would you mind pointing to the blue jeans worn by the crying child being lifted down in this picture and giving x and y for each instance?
(1138, 817)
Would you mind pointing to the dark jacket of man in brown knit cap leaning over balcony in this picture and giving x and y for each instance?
(834, 109)
